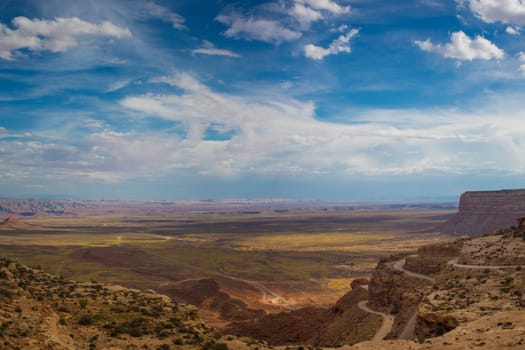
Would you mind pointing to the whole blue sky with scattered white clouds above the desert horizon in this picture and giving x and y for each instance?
(306, 99)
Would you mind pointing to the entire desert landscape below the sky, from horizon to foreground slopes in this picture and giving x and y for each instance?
(264, 274)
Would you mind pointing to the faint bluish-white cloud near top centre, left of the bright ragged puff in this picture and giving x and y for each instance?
(257, 29)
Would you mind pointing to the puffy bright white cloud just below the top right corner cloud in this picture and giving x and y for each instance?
(462, 47)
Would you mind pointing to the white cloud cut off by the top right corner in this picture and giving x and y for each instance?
(506, 11)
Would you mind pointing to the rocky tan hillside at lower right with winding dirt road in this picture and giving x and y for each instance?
(473, 297)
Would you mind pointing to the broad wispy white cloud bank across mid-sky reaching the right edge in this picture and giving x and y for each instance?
(283, 135)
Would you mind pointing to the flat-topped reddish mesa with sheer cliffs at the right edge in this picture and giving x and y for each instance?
(485, 211)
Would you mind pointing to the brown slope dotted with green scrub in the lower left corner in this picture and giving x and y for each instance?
(43, 311)
